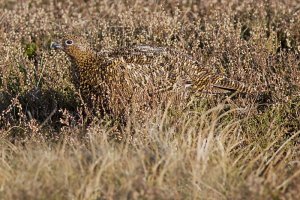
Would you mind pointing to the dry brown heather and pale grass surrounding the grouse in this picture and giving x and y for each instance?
(213, 148)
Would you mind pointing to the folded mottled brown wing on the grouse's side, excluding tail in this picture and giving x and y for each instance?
(141, 65)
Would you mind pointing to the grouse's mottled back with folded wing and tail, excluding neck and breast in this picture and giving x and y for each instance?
(165, 69)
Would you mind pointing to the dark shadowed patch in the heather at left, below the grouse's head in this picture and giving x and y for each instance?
(37, 104)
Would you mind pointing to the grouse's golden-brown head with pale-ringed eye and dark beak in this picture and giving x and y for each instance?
(74, 46)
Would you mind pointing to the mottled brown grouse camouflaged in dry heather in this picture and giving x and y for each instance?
(117, 77)
